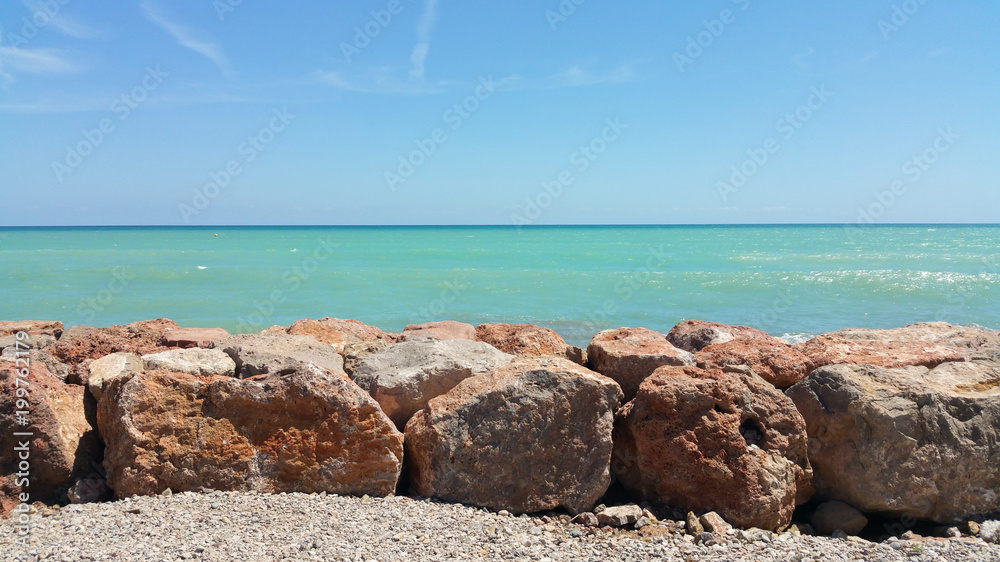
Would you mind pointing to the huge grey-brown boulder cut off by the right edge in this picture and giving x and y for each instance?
(911, 441)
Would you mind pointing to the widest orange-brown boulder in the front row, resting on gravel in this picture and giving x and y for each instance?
(308, 430)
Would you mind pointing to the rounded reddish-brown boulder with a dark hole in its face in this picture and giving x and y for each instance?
(708, 440)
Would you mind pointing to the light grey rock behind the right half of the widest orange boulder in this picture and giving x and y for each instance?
(257, 354)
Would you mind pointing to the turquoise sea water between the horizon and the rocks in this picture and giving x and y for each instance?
(786, 280)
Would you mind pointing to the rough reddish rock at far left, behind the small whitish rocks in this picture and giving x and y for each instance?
(79, 343)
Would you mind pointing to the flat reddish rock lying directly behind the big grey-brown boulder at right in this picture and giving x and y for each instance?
(834, 350)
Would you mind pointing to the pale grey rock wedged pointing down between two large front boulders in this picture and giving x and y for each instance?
(403, 377)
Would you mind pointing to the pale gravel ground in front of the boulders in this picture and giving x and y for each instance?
(248, 526)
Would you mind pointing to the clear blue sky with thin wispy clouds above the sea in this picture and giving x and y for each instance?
(216, 112)
